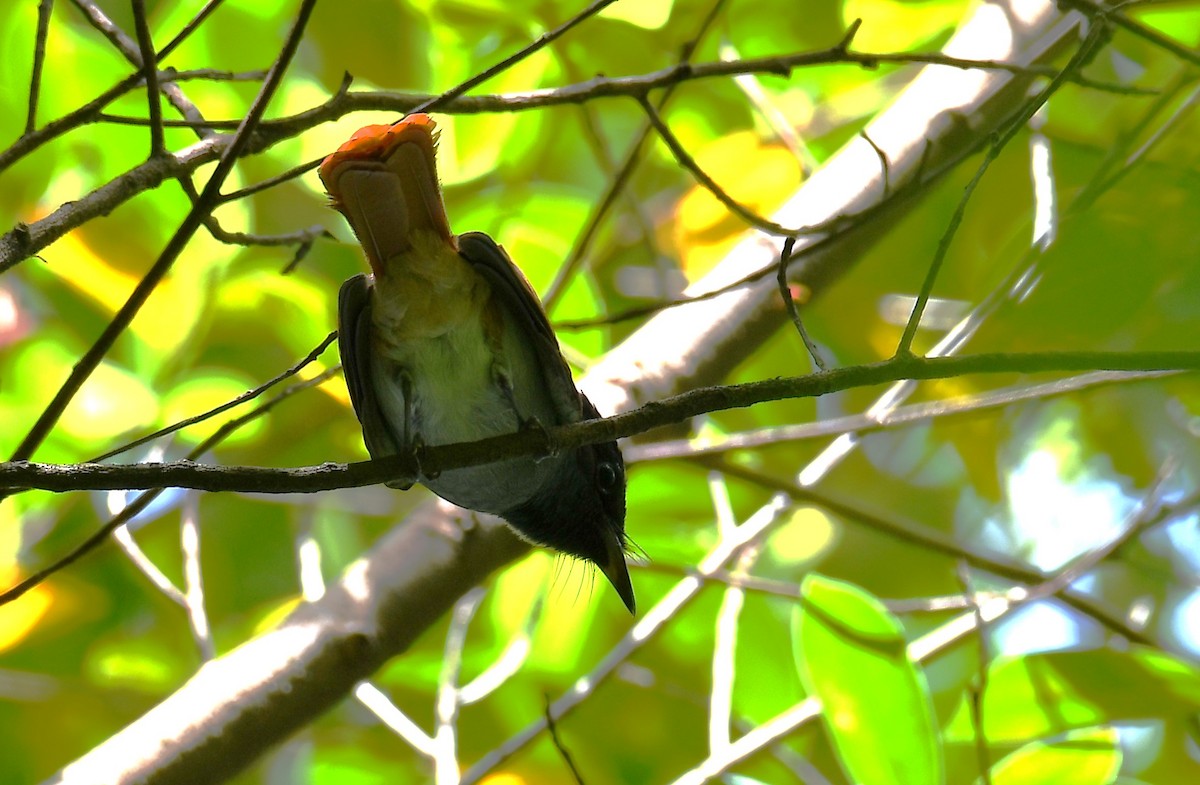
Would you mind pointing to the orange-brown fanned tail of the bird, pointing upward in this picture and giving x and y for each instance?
(385, 182)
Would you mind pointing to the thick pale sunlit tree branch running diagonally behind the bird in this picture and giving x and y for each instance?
(245, 702)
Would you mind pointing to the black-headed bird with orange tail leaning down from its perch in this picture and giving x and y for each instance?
(446, 341)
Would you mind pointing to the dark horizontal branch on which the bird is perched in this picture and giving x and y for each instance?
(437, 459)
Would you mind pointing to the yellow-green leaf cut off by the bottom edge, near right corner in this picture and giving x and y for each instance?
(1083, 758)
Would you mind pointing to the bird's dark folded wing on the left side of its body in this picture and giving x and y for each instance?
(355, 346)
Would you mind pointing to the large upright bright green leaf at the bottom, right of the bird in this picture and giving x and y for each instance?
(851, 655)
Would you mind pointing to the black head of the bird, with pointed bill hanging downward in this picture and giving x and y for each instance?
(581, 512)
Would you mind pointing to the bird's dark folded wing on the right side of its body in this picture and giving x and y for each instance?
(514, 291)
